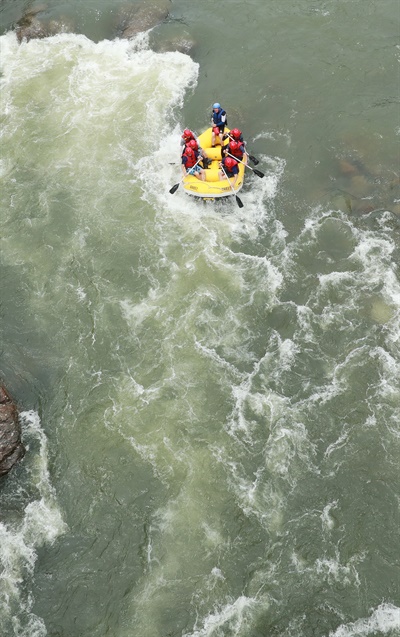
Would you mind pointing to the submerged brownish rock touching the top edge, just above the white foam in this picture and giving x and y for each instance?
(149, 14)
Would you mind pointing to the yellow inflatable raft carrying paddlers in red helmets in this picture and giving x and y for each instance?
(212, 187)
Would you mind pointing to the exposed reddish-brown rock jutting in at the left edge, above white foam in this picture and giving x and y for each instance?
(11, 447)
